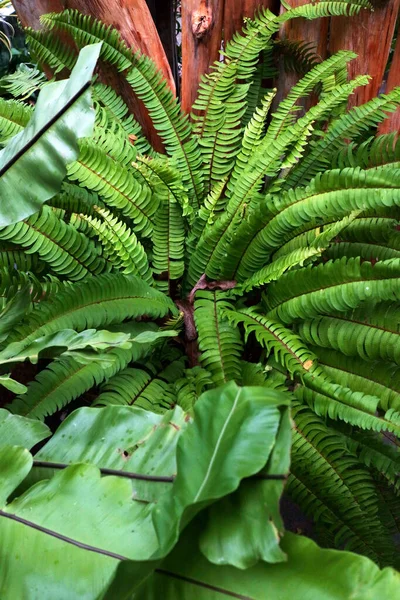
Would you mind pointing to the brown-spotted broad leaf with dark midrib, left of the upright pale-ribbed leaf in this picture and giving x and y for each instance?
(123, 438)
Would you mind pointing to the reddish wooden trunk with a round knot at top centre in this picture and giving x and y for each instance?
(202, 22)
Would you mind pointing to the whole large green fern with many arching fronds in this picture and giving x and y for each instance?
(263, 248)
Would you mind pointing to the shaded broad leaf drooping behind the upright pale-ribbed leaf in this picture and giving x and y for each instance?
(246, 526)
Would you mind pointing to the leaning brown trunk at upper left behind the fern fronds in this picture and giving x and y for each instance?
(133, 20)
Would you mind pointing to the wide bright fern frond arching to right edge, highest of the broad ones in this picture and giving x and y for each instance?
(330, 196)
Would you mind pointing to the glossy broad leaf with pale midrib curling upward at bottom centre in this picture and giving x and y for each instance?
(223, 446)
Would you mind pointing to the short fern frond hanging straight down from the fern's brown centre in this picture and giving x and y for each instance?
(219, 342)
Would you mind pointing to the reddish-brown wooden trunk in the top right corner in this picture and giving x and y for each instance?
(369, 35)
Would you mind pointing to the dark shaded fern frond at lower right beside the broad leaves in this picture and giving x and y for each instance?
(334, 488)
